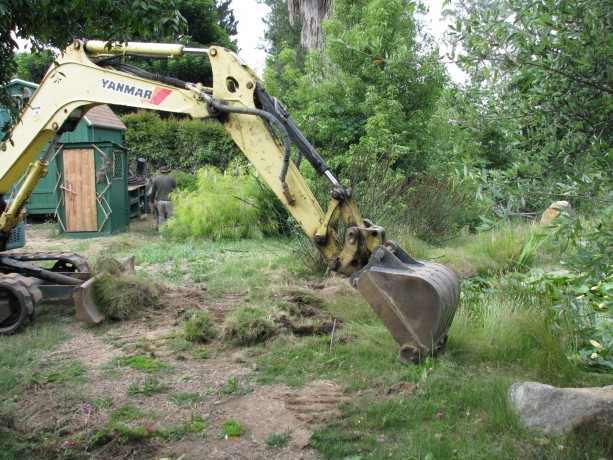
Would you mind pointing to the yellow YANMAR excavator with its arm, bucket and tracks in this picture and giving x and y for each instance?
(415, 300)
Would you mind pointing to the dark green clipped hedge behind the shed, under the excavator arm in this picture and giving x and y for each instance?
(182, 144)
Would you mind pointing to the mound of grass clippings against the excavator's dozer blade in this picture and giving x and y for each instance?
(124, 297)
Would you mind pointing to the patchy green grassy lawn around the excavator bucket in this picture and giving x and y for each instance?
(454, 406)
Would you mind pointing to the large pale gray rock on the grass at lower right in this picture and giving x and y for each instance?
(557, 410)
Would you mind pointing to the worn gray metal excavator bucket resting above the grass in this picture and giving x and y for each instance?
(415, 300)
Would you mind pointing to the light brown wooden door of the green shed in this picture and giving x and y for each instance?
(80, 190)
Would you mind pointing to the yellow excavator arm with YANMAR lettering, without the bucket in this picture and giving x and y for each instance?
(77, 82)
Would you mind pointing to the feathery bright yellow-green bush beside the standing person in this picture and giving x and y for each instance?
(225, 206)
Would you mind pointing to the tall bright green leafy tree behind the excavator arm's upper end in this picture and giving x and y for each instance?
(374, 86)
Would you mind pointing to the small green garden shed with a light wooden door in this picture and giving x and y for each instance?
(86, 187)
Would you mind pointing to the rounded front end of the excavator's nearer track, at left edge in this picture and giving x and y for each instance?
(19, 300)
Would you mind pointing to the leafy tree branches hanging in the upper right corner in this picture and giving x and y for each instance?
(540, 70)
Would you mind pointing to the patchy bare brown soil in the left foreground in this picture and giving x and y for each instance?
(74, 417)
